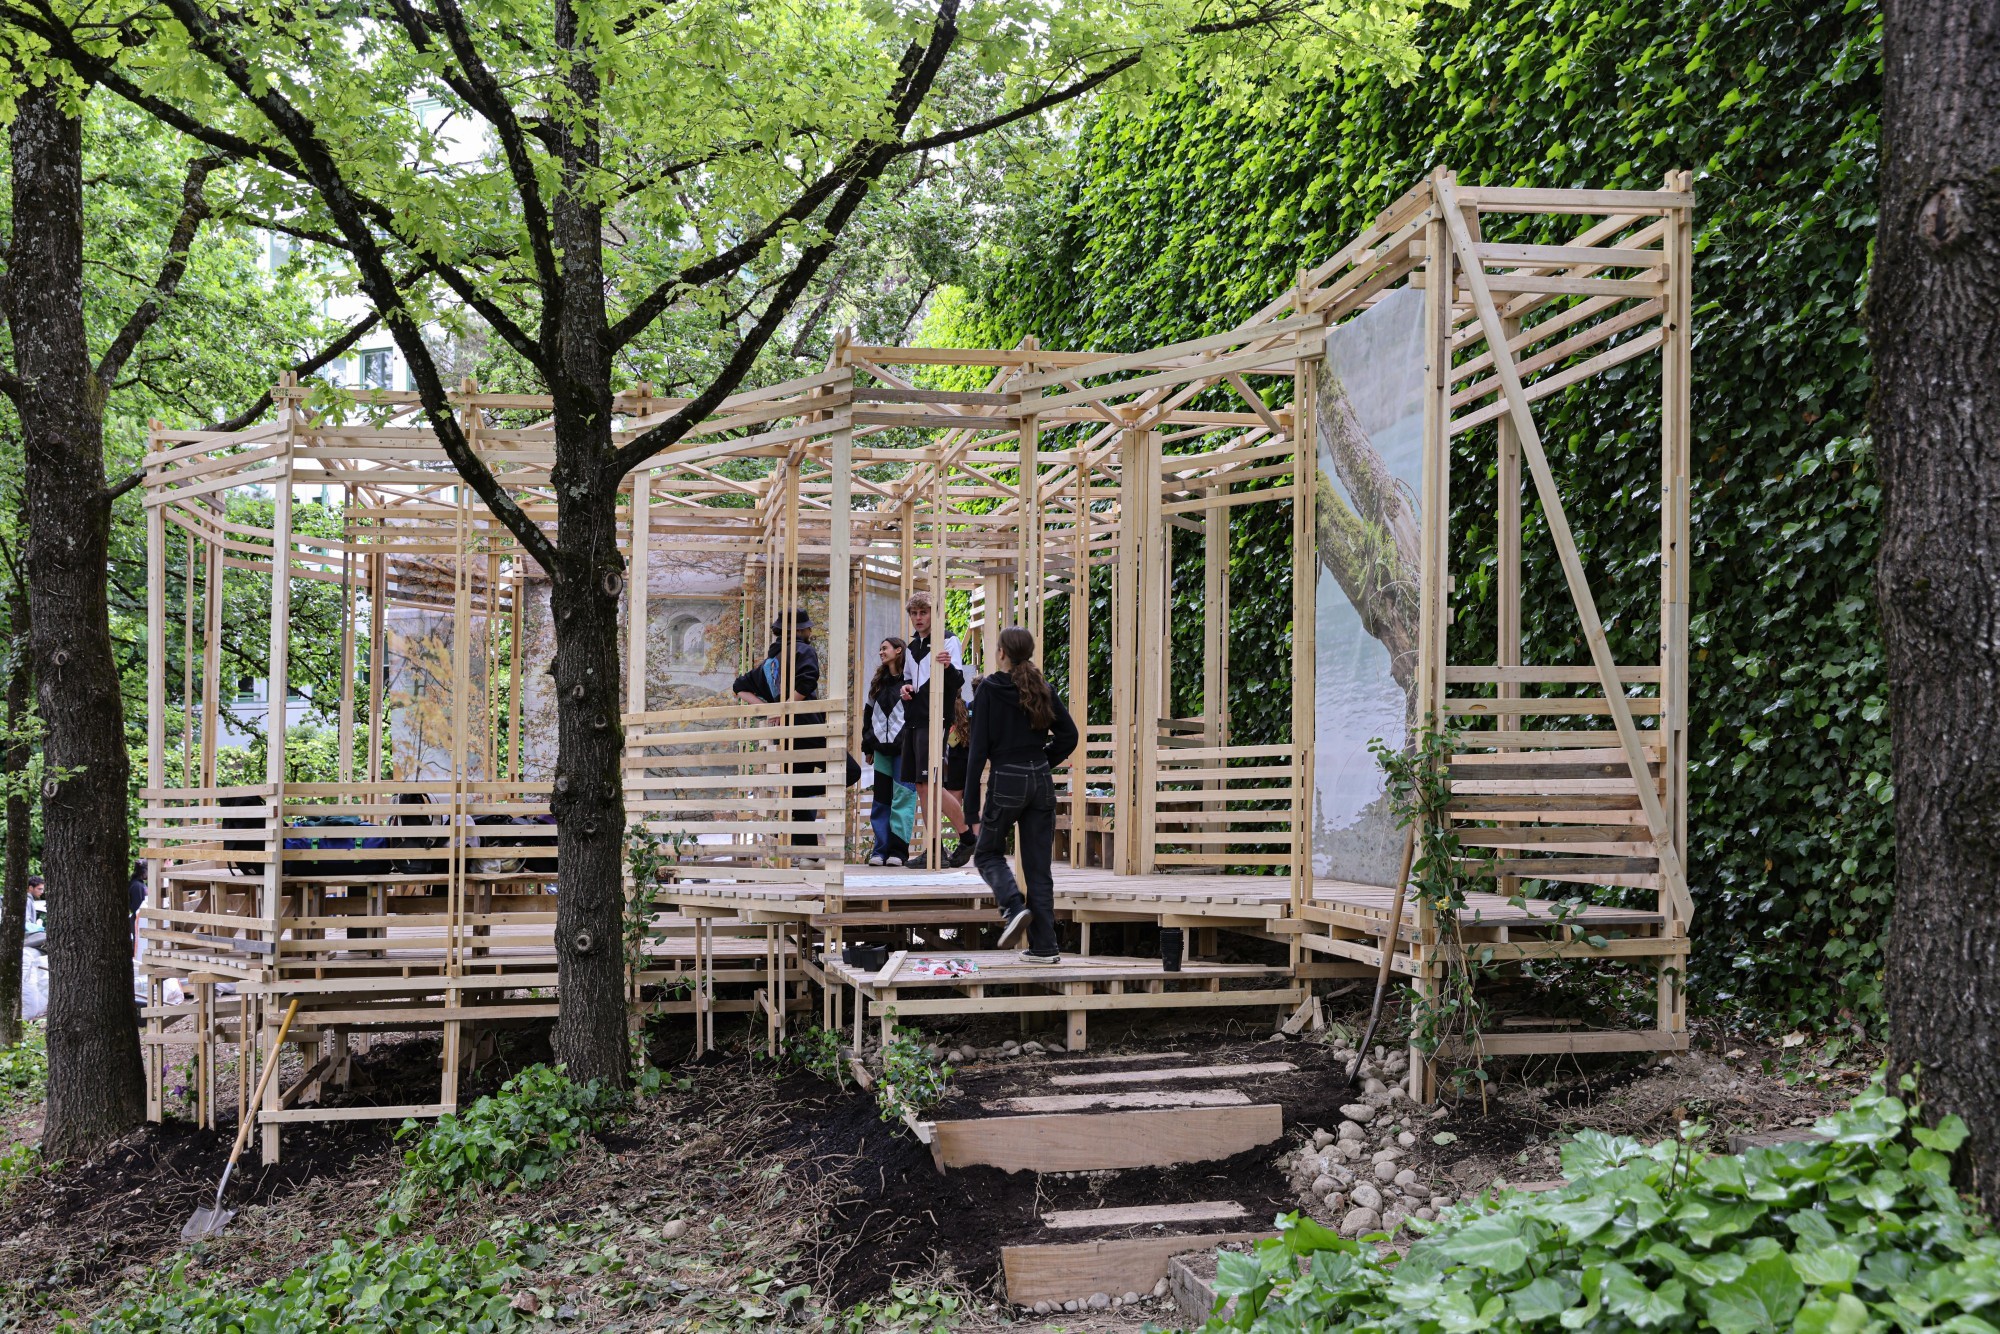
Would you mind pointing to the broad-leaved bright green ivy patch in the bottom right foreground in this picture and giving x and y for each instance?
(1857, 1233)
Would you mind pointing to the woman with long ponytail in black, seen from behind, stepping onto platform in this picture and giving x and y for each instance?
(1023, 731)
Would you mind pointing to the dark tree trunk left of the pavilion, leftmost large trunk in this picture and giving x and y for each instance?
(95, 1075)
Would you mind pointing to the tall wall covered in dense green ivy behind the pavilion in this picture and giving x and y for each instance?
(1187, 219)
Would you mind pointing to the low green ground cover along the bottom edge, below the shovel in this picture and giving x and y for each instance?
(355, 1289)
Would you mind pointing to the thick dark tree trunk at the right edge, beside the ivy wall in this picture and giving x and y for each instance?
(1935, 327)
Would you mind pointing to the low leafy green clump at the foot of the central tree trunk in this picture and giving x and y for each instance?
(517, 1137)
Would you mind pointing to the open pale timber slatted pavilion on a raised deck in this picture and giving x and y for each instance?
(429, 901)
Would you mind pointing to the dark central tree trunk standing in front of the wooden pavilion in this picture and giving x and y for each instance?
(589, 803)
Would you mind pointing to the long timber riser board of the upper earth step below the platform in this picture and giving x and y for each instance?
(1105, 1141)
